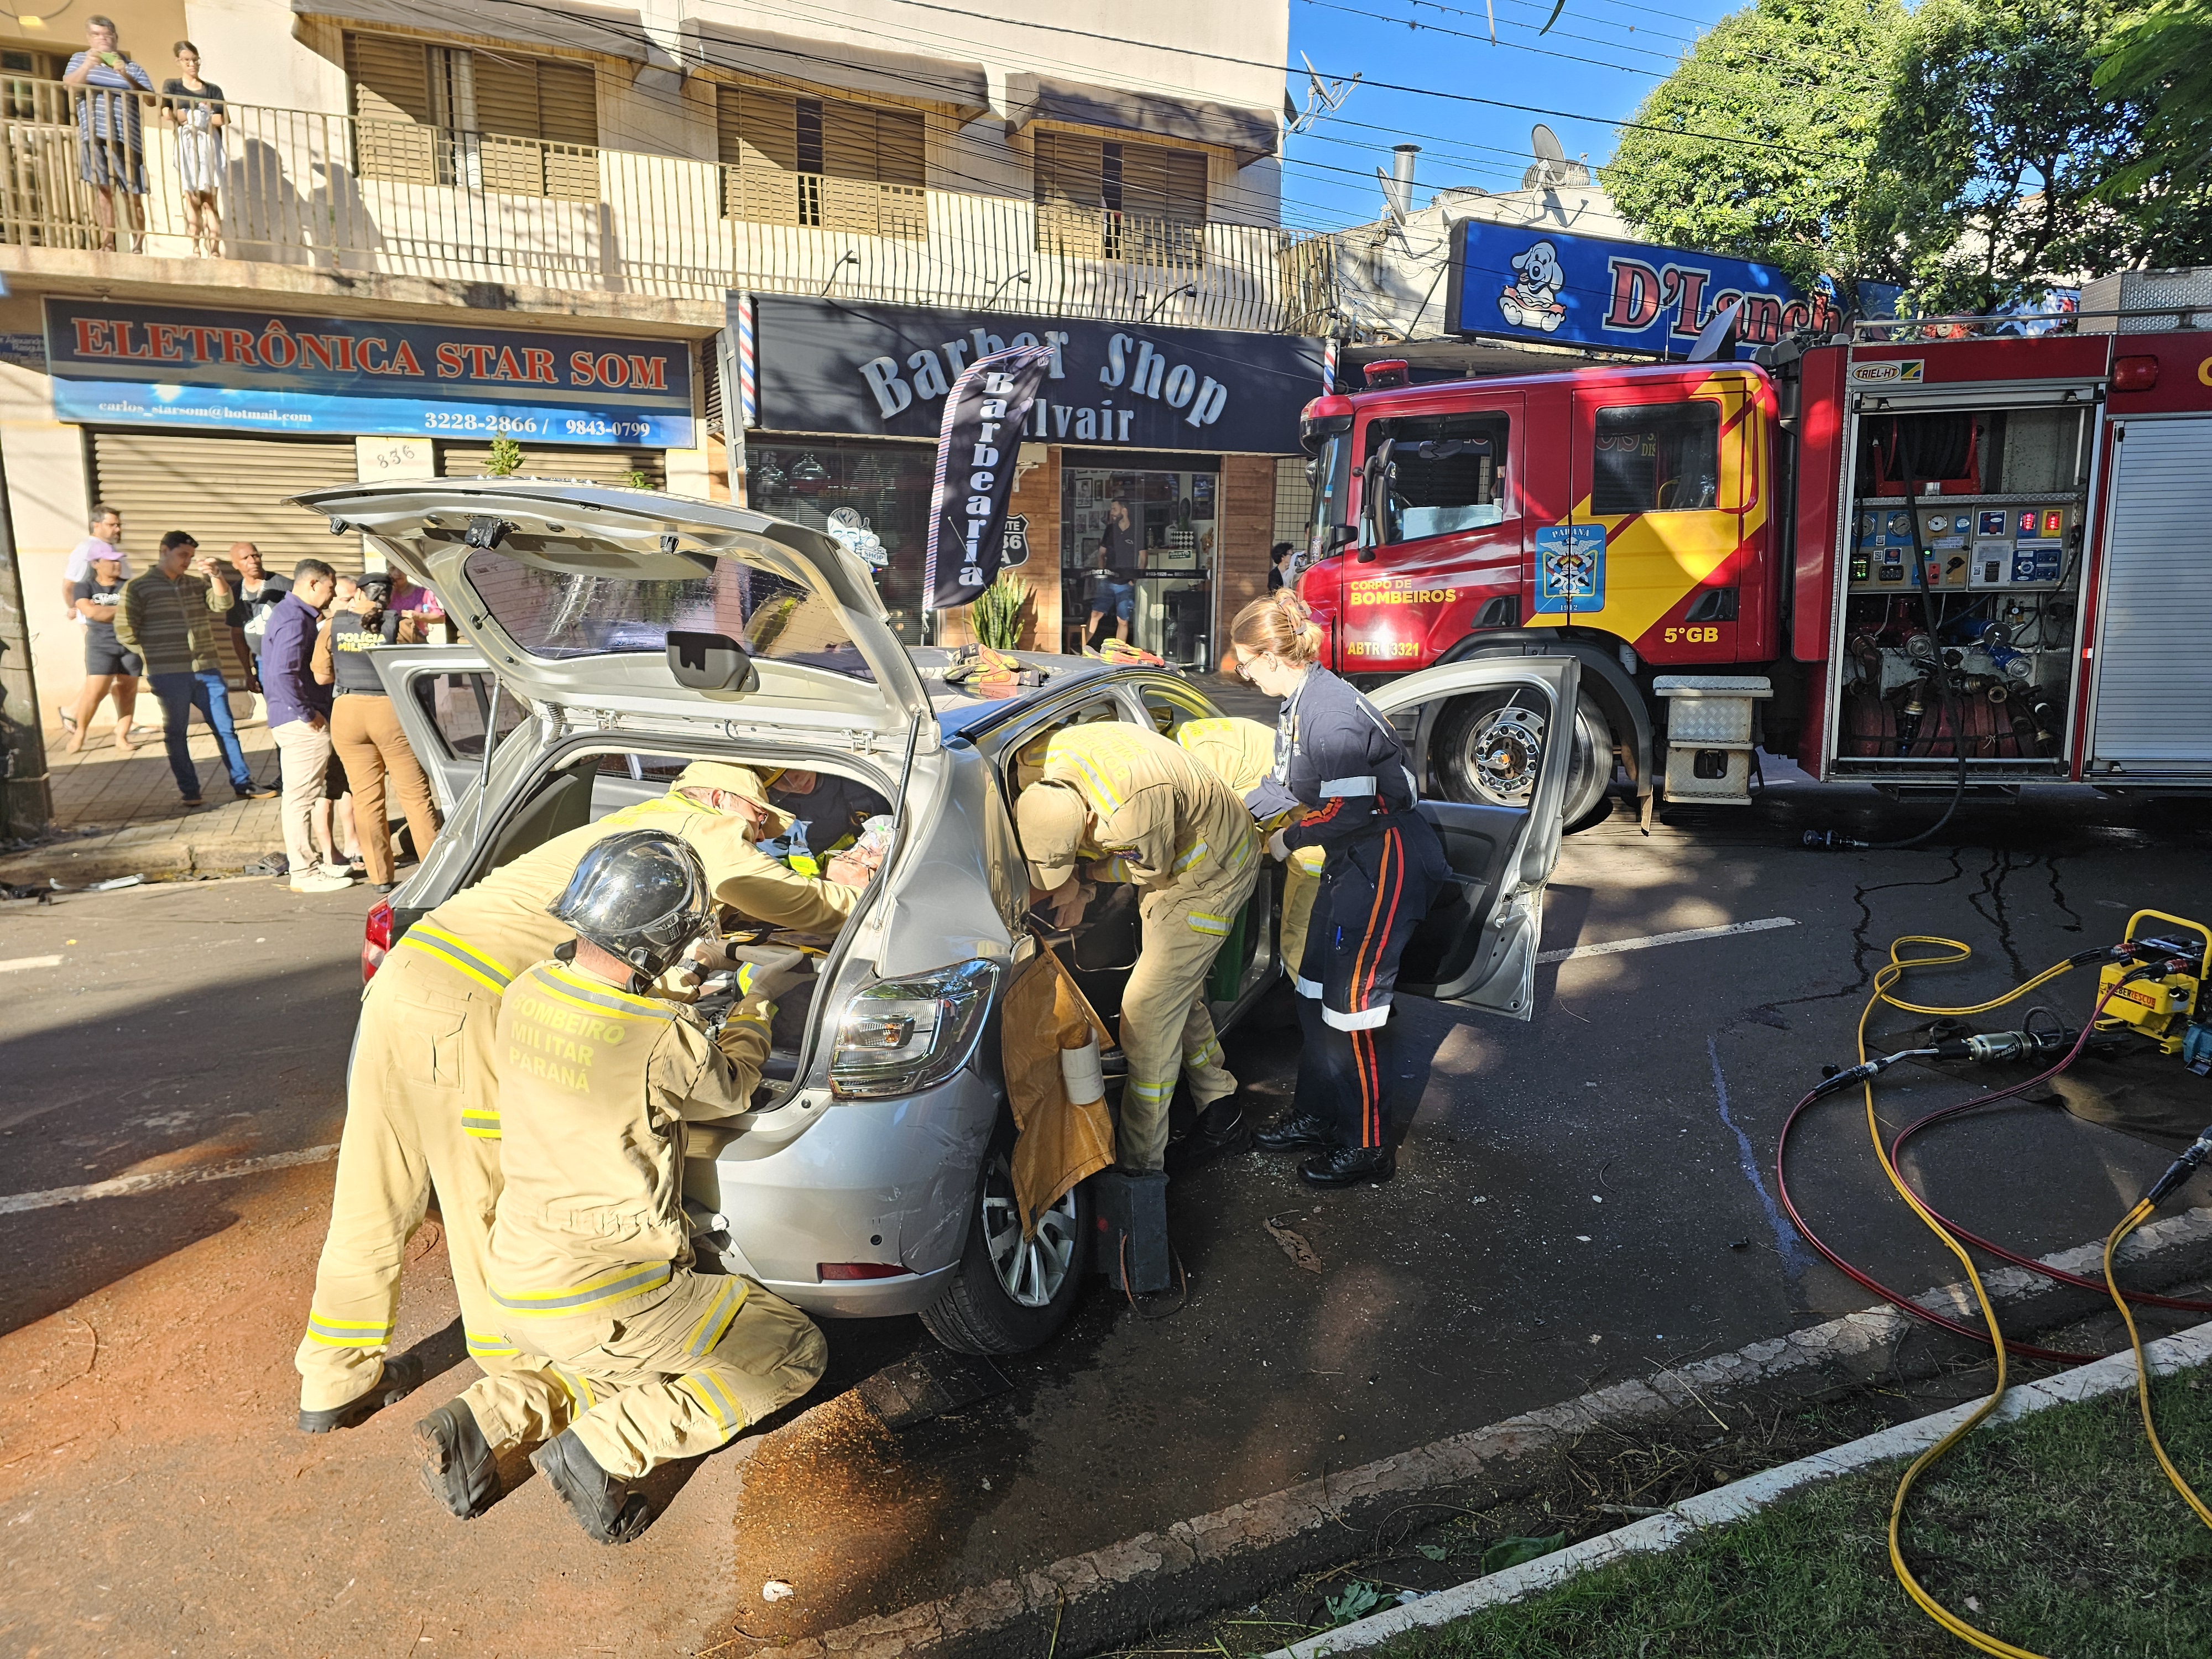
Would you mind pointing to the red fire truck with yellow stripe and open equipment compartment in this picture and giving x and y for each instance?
(1877, 556)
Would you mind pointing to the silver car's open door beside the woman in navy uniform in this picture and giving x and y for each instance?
(1479, 943)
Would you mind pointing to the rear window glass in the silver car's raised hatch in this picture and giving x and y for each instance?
(554, 614)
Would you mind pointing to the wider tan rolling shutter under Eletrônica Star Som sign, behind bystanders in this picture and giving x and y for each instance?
(225, 490)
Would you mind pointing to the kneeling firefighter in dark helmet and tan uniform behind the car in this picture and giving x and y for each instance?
(589, 1249)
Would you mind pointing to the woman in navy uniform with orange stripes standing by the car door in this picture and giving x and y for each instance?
(1339, 760)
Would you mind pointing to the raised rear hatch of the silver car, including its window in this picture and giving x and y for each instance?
(651, 614)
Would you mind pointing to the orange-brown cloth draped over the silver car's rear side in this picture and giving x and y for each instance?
(1058, 1142)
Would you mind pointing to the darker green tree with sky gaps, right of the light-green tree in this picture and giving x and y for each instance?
(1992, 156)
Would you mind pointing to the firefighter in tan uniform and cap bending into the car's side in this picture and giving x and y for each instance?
(1145, 813)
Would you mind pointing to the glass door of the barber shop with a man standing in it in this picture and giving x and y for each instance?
(1140, 541)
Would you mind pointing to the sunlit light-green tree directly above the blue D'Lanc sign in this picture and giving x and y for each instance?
(1791, 94)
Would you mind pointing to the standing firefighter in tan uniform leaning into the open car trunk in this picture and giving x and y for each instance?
(424, 1103)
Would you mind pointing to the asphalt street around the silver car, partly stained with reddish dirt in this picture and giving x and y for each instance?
(1580, 1200)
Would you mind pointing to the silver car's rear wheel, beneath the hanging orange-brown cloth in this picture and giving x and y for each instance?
(1010, 1293)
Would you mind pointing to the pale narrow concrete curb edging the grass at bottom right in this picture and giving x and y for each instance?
(1749, 1496)
